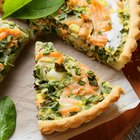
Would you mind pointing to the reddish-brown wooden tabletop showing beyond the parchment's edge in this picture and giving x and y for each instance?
(118, 128)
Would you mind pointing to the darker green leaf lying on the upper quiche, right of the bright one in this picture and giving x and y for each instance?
(38, 9)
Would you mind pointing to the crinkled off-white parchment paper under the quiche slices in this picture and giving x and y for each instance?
(19, 86)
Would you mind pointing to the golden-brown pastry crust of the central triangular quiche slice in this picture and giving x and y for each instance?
(48, 126)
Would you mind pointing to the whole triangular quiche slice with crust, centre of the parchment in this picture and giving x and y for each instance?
(68, 93)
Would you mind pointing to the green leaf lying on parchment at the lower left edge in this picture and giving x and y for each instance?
(7, 118)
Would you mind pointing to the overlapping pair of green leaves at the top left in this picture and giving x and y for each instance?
(30, 9)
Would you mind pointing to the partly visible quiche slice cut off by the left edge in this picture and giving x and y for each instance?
(12, 40)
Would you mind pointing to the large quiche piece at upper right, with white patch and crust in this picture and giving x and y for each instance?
(106, 30)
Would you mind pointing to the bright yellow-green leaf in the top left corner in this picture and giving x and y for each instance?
(10, 6)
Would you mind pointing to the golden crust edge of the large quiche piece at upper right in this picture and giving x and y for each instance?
(134, 35)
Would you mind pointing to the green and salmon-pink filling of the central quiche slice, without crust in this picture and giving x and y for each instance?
(64, 87)
